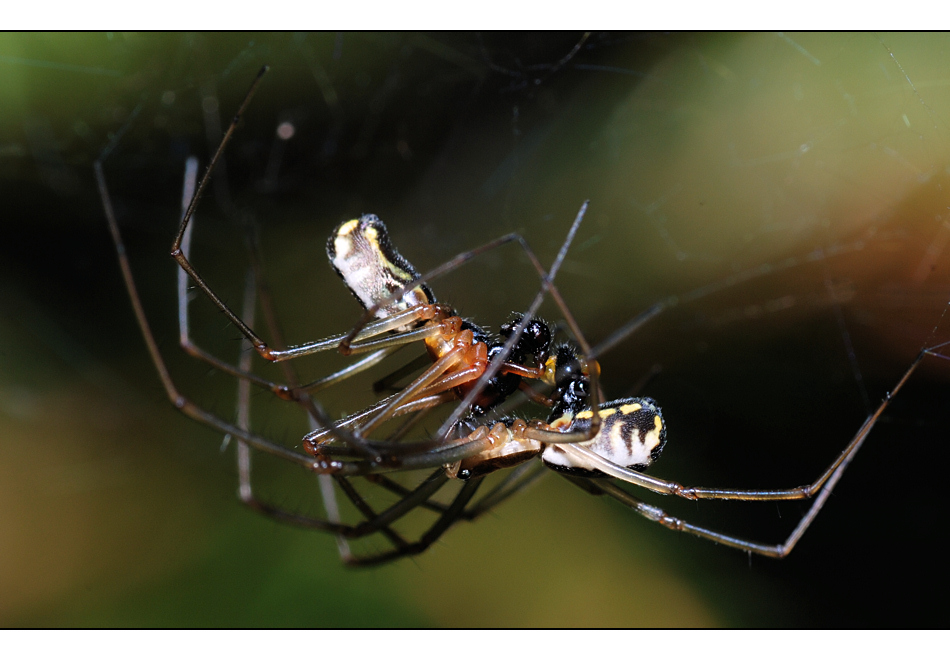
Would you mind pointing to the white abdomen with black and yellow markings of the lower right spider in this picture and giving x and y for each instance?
(632, 434)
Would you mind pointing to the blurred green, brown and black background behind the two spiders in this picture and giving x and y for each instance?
(818, 161)
